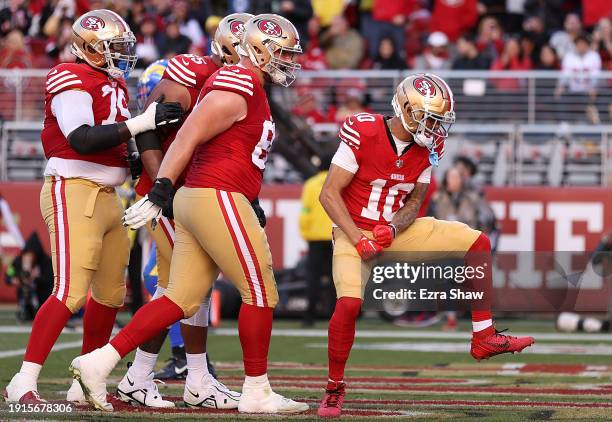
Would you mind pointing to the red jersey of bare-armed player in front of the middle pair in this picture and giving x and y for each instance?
(234, 160)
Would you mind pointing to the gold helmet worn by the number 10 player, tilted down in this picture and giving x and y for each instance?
(425, 105)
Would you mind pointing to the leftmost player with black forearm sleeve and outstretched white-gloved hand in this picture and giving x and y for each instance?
(87, 125)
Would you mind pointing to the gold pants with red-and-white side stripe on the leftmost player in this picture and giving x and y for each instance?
(89, 245)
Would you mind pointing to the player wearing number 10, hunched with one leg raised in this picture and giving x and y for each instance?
(373, 192)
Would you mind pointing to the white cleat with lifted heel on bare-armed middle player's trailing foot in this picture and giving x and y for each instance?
(86, 370)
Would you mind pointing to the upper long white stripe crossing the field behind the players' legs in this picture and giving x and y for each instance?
(425, 334)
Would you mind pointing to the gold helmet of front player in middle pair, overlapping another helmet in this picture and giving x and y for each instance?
(273, 44)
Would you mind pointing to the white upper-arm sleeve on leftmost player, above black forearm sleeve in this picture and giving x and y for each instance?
(72, 109)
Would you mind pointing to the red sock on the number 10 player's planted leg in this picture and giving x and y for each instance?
(341, 335)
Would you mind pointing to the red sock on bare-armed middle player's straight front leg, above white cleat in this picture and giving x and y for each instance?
(255, 329)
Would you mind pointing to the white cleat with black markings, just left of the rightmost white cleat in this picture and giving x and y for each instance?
(210, 393)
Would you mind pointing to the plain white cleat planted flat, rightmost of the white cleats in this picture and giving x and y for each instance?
(261, 399)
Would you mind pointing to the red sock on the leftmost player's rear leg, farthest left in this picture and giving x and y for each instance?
(48, 324)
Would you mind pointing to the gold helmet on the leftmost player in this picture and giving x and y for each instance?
(103, 40)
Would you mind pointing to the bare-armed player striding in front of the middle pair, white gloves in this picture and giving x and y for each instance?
(224, 142)
